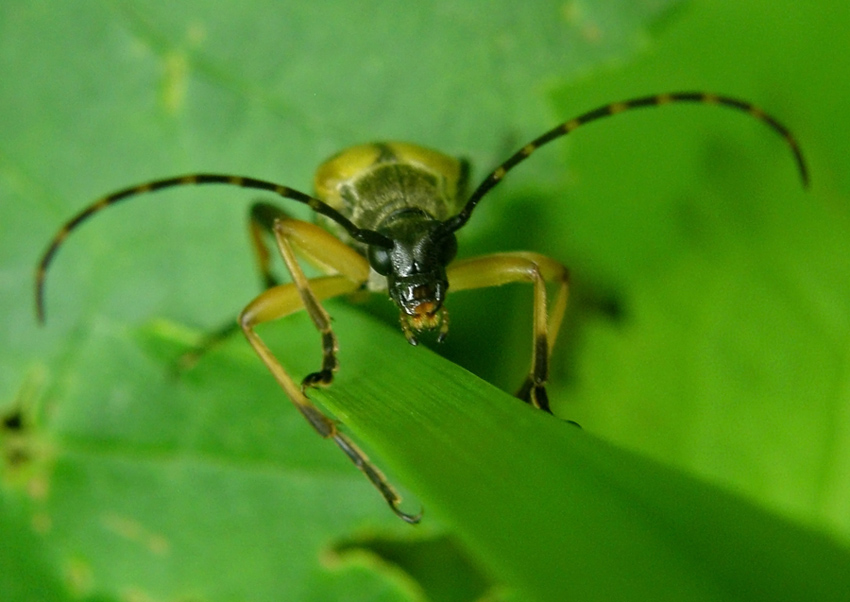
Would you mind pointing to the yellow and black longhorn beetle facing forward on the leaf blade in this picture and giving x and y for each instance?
(388, 214)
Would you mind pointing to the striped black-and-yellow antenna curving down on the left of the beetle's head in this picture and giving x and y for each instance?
(368, 237)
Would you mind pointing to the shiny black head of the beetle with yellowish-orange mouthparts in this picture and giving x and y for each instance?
(415, 267)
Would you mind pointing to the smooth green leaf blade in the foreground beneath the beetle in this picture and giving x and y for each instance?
(555, 511)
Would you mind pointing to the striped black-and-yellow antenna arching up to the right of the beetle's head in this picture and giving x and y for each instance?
(496, 176)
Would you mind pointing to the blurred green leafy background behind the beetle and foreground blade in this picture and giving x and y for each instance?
(727, 357)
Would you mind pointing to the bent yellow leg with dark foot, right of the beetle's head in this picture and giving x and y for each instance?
(502, 268)
